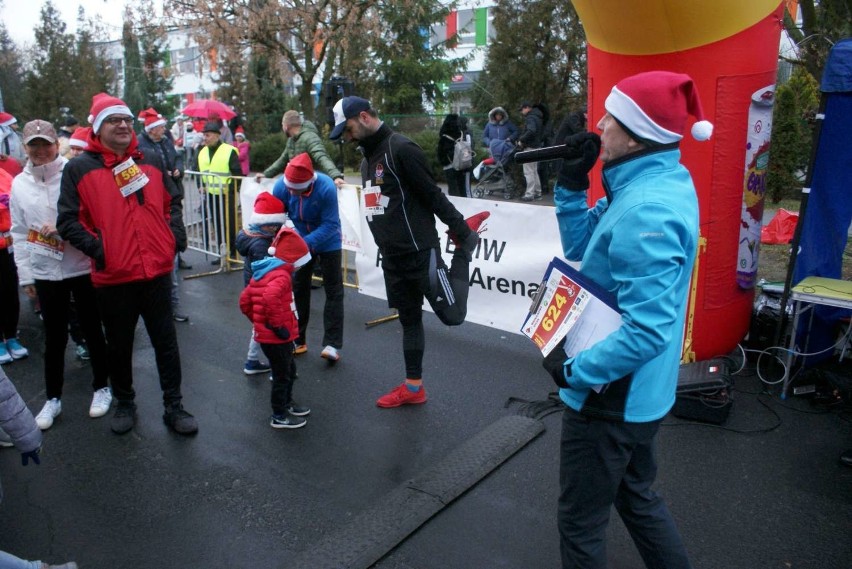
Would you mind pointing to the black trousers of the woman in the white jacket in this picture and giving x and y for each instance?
(55, 300)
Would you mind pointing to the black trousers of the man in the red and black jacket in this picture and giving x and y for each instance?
(121, 306)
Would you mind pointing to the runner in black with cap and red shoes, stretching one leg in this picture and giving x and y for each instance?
(401, 202)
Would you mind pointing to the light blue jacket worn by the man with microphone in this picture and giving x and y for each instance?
(639, 242)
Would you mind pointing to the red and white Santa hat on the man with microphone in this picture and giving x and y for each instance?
(655, 105)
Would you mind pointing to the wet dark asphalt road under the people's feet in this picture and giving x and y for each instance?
(241, 494)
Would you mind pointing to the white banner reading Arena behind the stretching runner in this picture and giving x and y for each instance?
(516, 244)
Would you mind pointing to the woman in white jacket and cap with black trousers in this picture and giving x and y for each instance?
(54, 270)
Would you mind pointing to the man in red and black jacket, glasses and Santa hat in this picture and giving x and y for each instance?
(120, 208)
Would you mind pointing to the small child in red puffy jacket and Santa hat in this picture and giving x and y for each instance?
(268, 302)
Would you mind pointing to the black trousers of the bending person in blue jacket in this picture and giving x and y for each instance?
(332, 283)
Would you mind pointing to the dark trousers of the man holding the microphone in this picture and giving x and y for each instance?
(606, 463)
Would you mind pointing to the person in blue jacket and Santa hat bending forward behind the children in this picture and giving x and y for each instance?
(310, 199)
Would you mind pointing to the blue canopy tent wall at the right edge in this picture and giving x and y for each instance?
(826, 209)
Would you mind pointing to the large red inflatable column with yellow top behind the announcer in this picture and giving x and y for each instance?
(730, 49)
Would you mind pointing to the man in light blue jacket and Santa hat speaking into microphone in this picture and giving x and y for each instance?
(639, 242)
